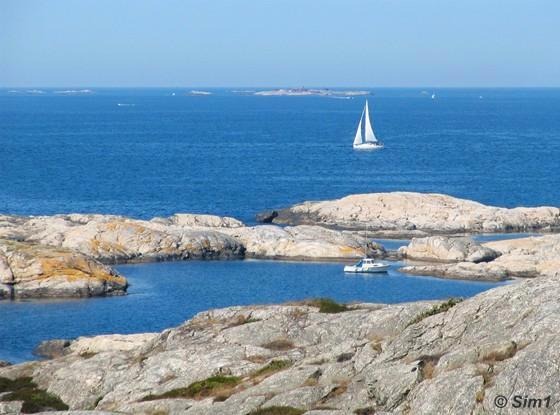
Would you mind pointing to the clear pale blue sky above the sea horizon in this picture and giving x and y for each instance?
(280, 43)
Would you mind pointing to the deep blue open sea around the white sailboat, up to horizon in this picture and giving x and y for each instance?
(235, 154)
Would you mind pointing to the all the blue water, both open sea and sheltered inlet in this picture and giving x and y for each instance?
(146, 153)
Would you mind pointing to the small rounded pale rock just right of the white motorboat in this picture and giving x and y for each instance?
(445, 249)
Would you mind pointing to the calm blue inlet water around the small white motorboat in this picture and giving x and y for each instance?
(165, 294)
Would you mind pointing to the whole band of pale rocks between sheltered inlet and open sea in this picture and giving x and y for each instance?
(63, 255)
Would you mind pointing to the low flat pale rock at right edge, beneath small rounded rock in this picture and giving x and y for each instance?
(518, 258)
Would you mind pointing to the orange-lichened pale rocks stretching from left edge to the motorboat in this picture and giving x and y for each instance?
(80, 244)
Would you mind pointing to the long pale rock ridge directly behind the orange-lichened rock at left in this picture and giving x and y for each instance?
(113, 239)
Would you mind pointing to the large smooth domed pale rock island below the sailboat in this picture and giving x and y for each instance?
(403, 214)
